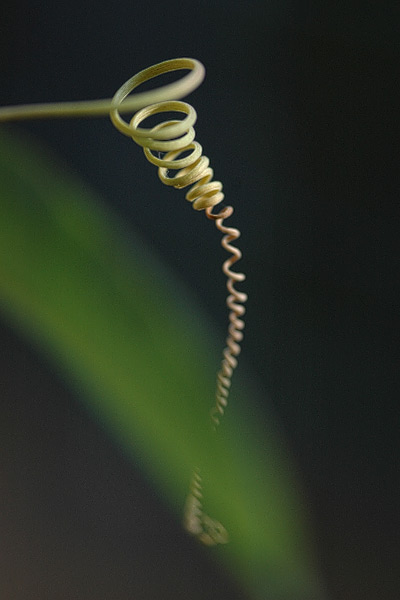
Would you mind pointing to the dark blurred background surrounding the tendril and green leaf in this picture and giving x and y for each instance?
(298, 115)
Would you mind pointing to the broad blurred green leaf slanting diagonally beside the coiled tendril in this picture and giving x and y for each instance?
(123, 330)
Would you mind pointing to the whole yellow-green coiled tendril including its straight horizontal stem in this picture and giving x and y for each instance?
(171, 139)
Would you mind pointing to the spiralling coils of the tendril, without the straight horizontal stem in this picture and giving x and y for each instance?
(171, 146)
